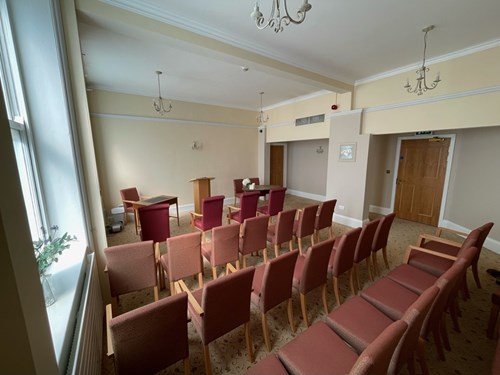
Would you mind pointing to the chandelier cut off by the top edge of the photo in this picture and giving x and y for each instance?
(275, 20)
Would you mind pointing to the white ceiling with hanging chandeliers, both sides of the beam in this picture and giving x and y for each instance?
(349, 41)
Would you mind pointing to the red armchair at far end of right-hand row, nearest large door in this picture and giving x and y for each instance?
(444, 246)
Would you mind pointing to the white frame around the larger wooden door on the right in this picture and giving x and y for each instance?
(451, 151)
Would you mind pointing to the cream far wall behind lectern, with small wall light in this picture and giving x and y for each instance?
(155, 154)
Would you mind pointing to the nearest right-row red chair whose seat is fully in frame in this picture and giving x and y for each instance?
(359, 323)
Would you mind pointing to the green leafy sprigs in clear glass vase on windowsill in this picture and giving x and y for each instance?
(47, 250)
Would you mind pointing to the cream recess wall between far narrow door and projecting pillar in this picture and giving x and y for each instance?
(307, 168)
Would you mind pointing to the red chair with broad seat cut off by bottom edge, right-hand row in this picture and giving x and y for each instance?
(319, 350)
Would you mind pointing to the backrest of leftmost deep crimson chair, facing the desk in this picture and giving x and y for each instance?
(155, 222)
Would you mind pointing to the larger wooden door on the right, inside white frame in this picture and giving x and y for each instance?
(420, 181)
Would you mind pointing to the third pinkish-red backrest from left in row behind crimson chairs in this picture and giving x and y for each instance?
(225, 244)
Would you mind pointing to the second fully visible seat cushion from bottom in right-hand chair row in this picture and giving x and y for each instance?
(390, 297)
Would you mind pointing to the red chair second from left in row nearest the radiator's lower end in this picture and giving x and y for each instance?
(221, 306)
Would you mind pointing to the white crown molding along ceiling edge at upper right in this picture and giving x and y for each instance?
(449, 56)
